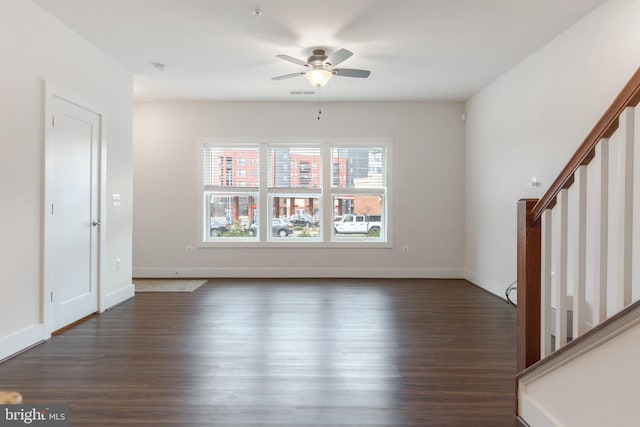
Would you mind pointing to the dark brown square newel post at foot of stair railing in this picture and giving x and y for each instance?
(529, 257)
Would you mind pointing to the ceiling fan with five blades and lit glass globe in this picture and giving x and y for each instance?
(321, 67)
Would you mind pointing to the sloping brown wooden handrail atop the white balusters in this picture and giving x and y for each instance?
(606, 126)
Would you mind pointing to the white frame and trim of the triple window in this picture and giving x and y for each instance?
(325, 194)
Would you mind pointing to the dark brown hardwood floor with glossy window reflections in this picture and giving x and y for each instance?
(284, 353)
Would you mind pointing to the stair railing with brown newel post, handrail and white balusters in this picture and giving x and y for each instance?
(578, 243)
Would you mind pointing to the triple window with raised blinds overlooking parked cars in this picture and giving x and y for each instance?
(312, 193)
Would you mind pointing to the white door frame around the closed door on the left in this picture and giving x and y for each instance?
(51, 92)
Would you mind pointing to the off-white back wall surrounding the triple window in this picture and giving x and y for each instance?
(428, 188)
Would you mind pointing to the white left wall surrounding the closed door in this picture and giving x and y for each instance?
(35, 47)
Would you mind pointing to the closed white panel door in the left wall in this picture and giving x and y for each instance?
(72, 207)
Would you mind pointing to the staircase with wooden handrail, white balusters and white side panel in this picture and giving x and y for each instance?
(579, 253)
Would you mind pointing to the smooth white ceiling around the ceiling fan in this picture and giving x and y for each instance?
(220, 50)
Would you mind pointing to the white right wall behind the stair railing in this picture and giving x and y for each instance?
(530, 121)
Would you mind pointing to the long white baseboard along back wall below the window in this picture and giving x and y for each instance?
(296, 273)
